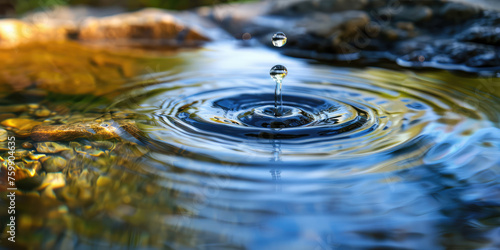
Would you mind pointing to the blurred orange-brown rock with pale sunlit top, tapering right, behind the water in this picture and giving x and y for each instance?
(145, 24)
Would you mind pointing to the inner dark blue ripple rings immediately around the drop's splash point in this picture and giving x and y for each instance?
(248, 116)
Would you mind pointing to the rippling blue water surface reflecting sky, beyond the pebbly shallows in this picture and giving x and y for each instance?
(365, 159)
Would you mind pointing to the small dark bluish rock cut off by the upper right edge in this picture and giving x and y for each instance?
(483, 35)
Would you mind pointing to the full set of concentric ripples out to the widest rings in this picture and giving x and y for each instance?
(327, 114)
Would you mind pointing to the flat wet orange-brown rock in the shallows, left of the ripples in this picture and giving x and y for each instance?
(89, 130)
